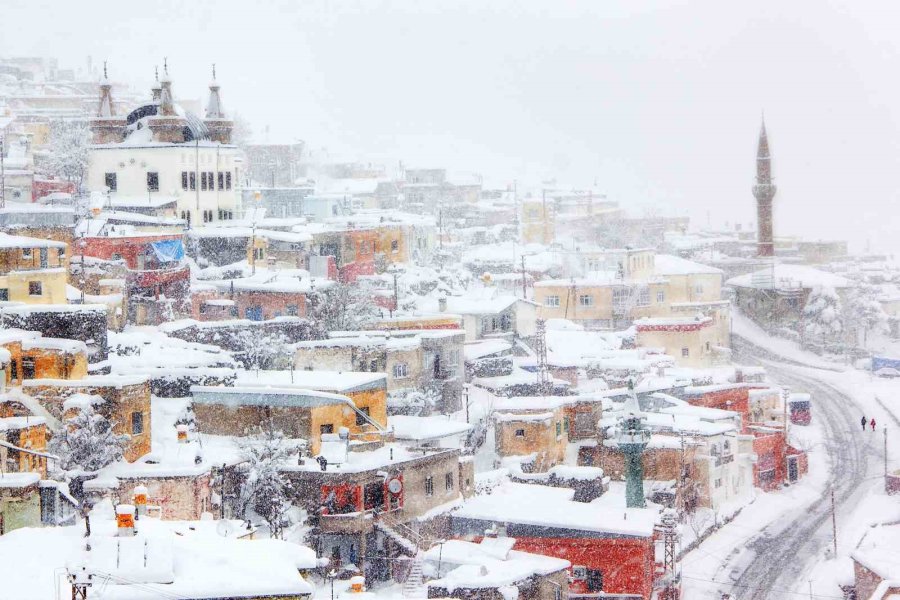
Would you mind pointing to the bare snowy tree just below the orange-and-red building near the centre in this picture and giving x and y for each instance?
(344, 307)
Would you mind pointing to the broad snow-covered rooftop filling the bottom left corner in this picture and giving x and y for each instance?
(155, 563)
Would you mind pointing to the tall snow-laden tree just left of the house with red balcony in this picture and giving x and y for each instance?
(264, 491)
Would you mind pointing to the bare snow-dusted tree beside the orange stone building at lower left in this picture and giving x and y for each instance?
(87, 443)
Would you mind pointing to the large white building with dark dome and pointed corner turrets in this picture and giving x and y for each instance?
(160, 156)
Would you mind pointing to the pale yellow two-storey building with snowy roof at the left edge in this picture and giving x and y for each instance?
(32, 270)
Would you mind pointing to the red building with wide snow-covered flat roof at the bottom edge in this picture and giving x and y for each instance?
(611, 549)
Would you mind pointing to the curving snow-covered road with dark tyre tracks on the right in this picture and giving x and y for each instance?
(786, 550)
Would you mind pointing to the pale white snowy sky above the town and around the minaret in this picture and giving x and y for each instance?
(661, 104)
